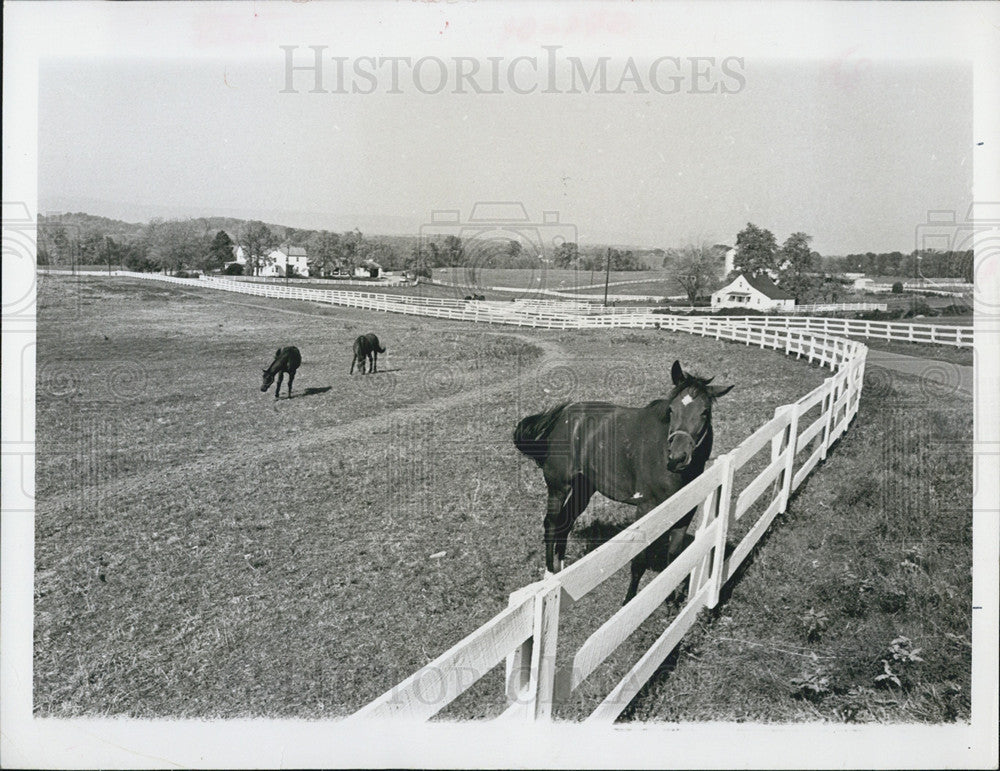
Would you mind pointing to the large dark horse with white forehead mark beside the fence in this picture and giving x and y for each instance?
(635, 455)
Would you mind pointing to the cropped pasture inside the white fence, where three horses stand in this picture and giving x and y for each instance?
(204, 551)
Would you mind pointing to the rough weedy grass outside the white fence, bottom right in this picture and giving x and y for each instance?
(856, 606)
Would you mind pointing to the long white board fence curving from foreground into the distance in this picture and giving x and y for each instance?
(525, 635)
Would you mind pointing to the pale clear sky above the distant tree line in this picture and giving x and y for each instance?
(854, 154)
